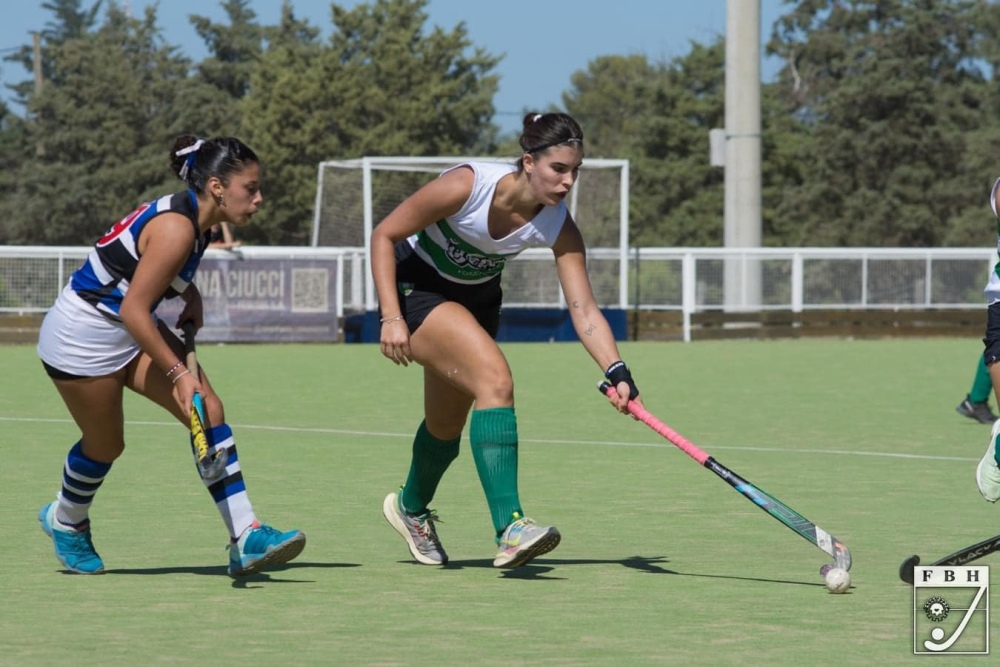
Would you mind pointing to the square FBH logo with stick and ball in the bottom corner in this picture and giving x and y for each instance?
(951, 610)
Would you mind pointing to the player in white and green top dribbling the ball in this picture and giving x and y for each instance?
(436, 261)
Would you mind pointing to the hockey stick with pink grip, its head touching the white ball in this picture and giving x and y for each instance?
(777, 509)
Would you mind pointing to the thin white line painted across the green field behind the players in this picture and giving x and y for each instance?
(595, 443)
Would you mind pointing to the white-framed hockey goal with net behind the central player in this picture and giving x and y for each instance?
(354, 195)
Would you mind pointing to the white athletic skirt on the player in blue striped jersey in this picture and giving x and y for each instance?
(77, 339)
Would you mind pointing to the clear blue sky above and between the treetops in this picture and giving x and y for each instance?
(544, 42)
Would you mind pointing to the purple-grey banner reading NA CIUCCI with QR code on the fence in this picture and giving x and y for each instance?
(264, 300)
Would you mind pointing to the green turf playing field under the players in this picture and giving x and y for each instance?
(661, 561)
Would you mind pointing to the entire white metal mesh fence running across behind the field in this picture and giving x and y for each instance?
(688, 280)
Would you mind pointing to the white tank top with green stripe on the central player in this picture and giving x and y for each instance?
(460, 247)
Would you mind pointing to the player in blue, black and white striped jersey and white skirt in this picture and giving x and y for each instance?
(102, 336)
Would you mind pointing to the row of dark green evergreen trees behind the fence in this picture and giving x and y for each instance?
(879, 129)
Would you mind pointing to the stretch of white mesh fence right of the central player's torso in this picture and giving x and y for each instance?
(692, 280)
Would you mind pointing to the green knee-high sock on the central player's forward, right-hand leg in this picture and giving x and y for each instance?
(493, 434)
